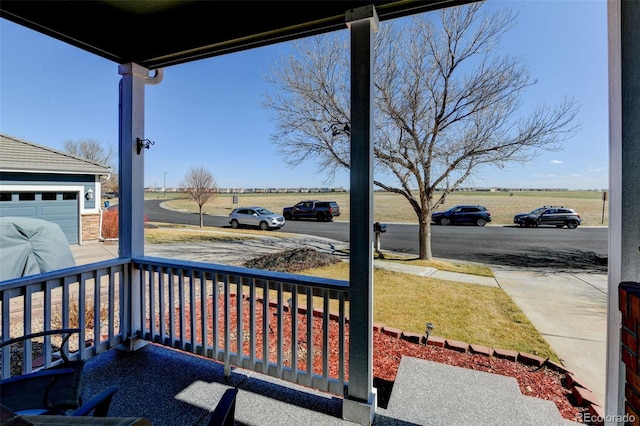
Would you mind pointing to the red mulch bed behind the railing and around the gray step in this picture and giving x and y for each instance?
(541, 382)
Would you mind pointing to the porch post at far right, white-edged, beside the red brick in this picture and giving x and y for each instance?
(624, 181)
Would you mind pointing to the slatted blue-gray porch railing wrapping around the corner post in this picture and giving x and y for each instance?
(241, 317)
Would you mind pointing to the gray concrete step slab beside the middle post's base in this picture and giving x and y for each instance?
(431, 393)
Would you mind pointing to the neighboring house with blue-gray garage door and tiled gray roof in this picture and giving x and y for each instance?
(40, 182)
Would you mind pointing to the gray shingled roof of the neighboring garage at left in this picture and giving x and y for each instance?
(23, 156)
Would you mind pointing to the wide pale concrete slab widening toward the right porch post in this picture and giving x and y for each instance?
(570, 311)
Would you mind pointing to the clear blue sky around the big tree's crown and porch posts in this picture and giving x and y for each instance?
(209, 113)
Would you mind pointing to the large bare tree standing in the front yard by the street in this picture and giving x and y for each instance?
(446, 104)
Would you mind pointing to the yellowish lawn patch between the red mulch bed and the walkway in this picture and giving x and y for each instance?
(465, 312)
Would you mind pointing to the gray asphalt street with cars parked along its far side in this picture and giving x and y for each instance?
(584, 249)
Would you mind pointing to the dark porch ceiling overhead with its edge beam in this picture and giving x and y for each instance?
(157, 33)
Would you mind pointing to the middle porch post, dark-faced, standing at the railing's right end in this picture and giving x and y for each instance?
(360, 403)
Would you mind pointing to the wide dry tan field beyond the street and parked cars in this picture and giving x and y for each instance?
(389, 208)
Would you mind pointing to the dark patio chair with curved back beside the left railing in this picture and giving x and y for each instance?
(55, 390)
